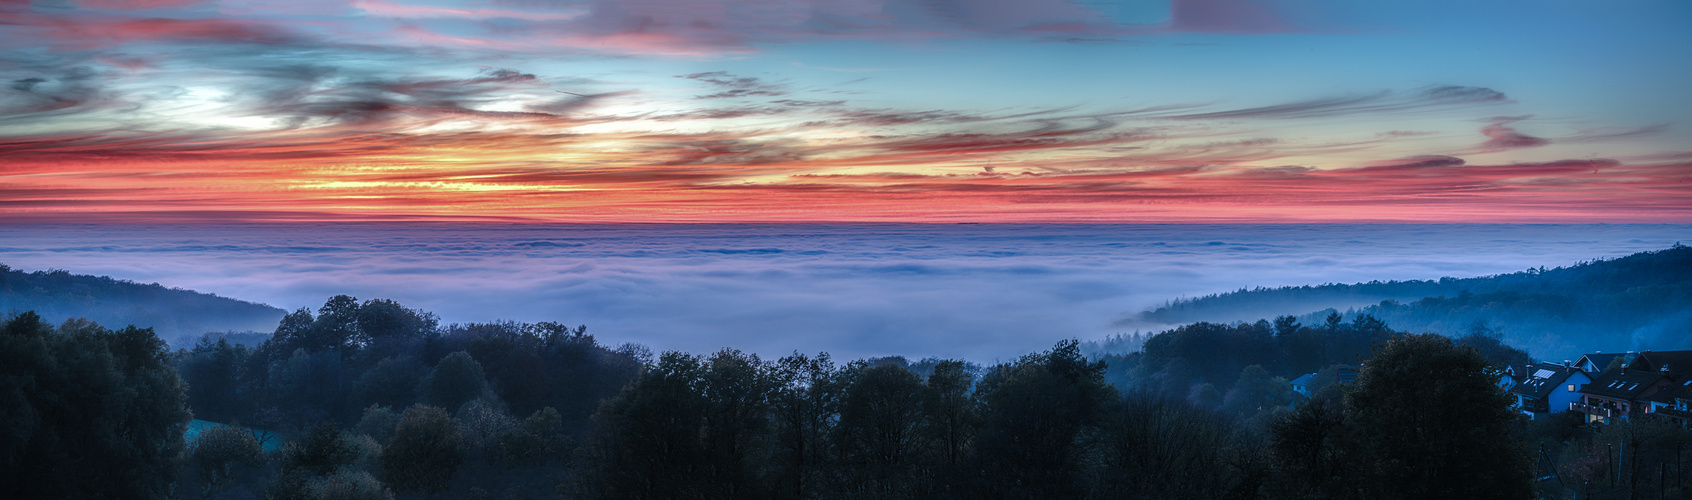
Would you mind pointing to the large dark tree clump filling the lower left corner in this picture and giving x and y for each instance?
(87, 413)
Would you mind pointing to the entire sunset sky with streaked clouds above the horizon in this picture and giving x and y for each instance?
(845, 111)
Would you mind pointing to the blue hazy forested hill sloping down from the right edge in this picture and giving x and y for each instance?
(1632, 303)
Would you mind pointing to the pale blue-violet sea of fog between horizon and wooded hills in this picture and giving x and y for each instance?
(974, 291)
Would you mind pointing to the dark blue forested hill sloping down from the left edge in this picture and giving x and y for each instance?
(172, 313)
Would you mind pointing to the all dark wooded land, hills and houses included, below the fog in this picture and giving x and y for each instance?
(375, 399)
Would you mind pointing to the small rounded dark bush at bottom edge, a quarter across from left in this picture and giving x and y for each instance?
(424, 454)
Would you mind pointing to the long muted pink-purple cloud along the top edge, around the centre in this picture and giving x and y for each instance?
(701, 28)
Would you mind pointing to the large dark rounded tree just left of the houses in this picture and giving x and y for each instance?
(1427, 420)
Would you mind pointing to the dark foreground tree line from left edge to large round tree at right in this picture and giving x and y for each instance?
(376, 401)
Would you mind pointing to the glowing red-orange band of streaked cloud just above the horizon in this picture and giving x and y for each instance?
(278, 183)
